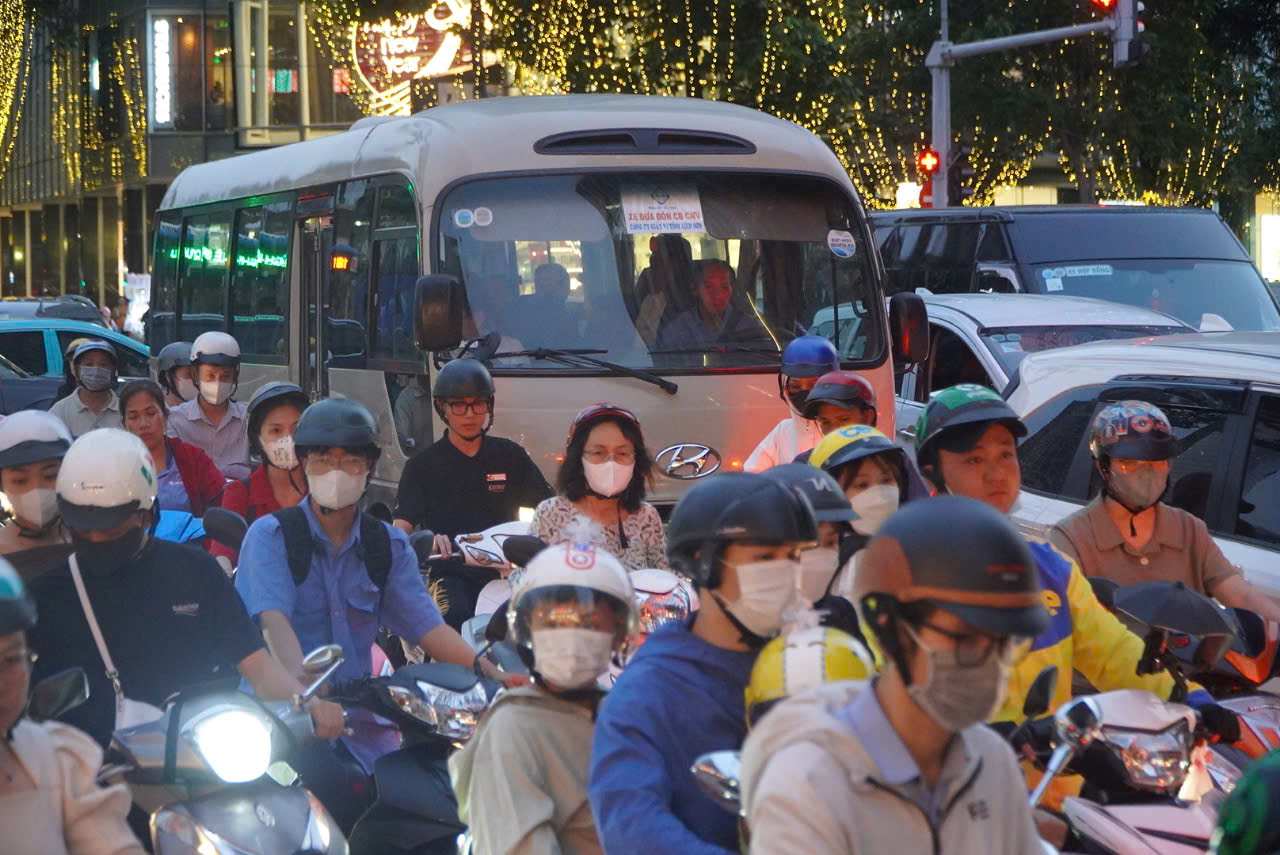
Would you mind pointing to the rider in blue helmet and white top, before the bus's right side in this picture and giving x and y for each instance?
(804, 360)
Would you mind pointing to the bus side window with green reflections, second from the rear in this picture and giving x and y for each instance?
(203, 275)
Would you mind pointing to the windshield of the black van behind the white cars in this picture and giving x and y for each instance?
(1208, 295)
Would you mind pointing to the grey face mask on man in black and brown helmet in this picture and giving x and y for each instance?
(957, 697)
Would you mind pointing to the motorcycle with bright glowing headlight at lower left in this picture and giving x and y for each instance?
(212, 774)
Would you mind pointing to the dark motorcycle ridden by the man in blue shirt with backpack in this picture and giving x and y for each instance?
(437, 707)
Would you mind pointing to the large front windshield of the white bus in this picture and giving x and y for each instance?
(662, 271)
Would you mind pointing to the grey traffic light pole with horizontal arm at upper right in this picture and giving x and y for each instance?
(944, 56)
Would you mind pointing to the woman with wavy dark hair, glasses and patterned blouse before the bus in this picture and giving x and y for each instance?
(604, 481)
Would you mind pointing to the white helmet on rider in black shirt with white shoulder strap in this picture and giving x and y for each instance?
(107, 475)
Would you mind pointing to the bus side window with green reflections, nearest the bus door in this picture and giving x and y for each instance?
(260, 284)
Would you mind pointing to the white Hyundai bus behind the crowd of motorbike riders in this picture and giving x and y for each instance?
(310, 255)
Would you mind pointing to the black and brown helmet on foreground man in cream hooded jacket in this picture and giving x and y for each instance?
(958, 555)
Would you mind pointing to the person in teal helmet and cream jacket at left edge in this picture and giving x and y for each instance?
(51, 801)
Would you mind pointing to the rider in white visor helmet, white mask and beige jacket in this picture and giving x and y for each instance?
(573, 611)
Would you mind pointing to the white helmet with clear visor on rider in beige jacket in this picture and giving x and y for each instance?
(575, 574)
